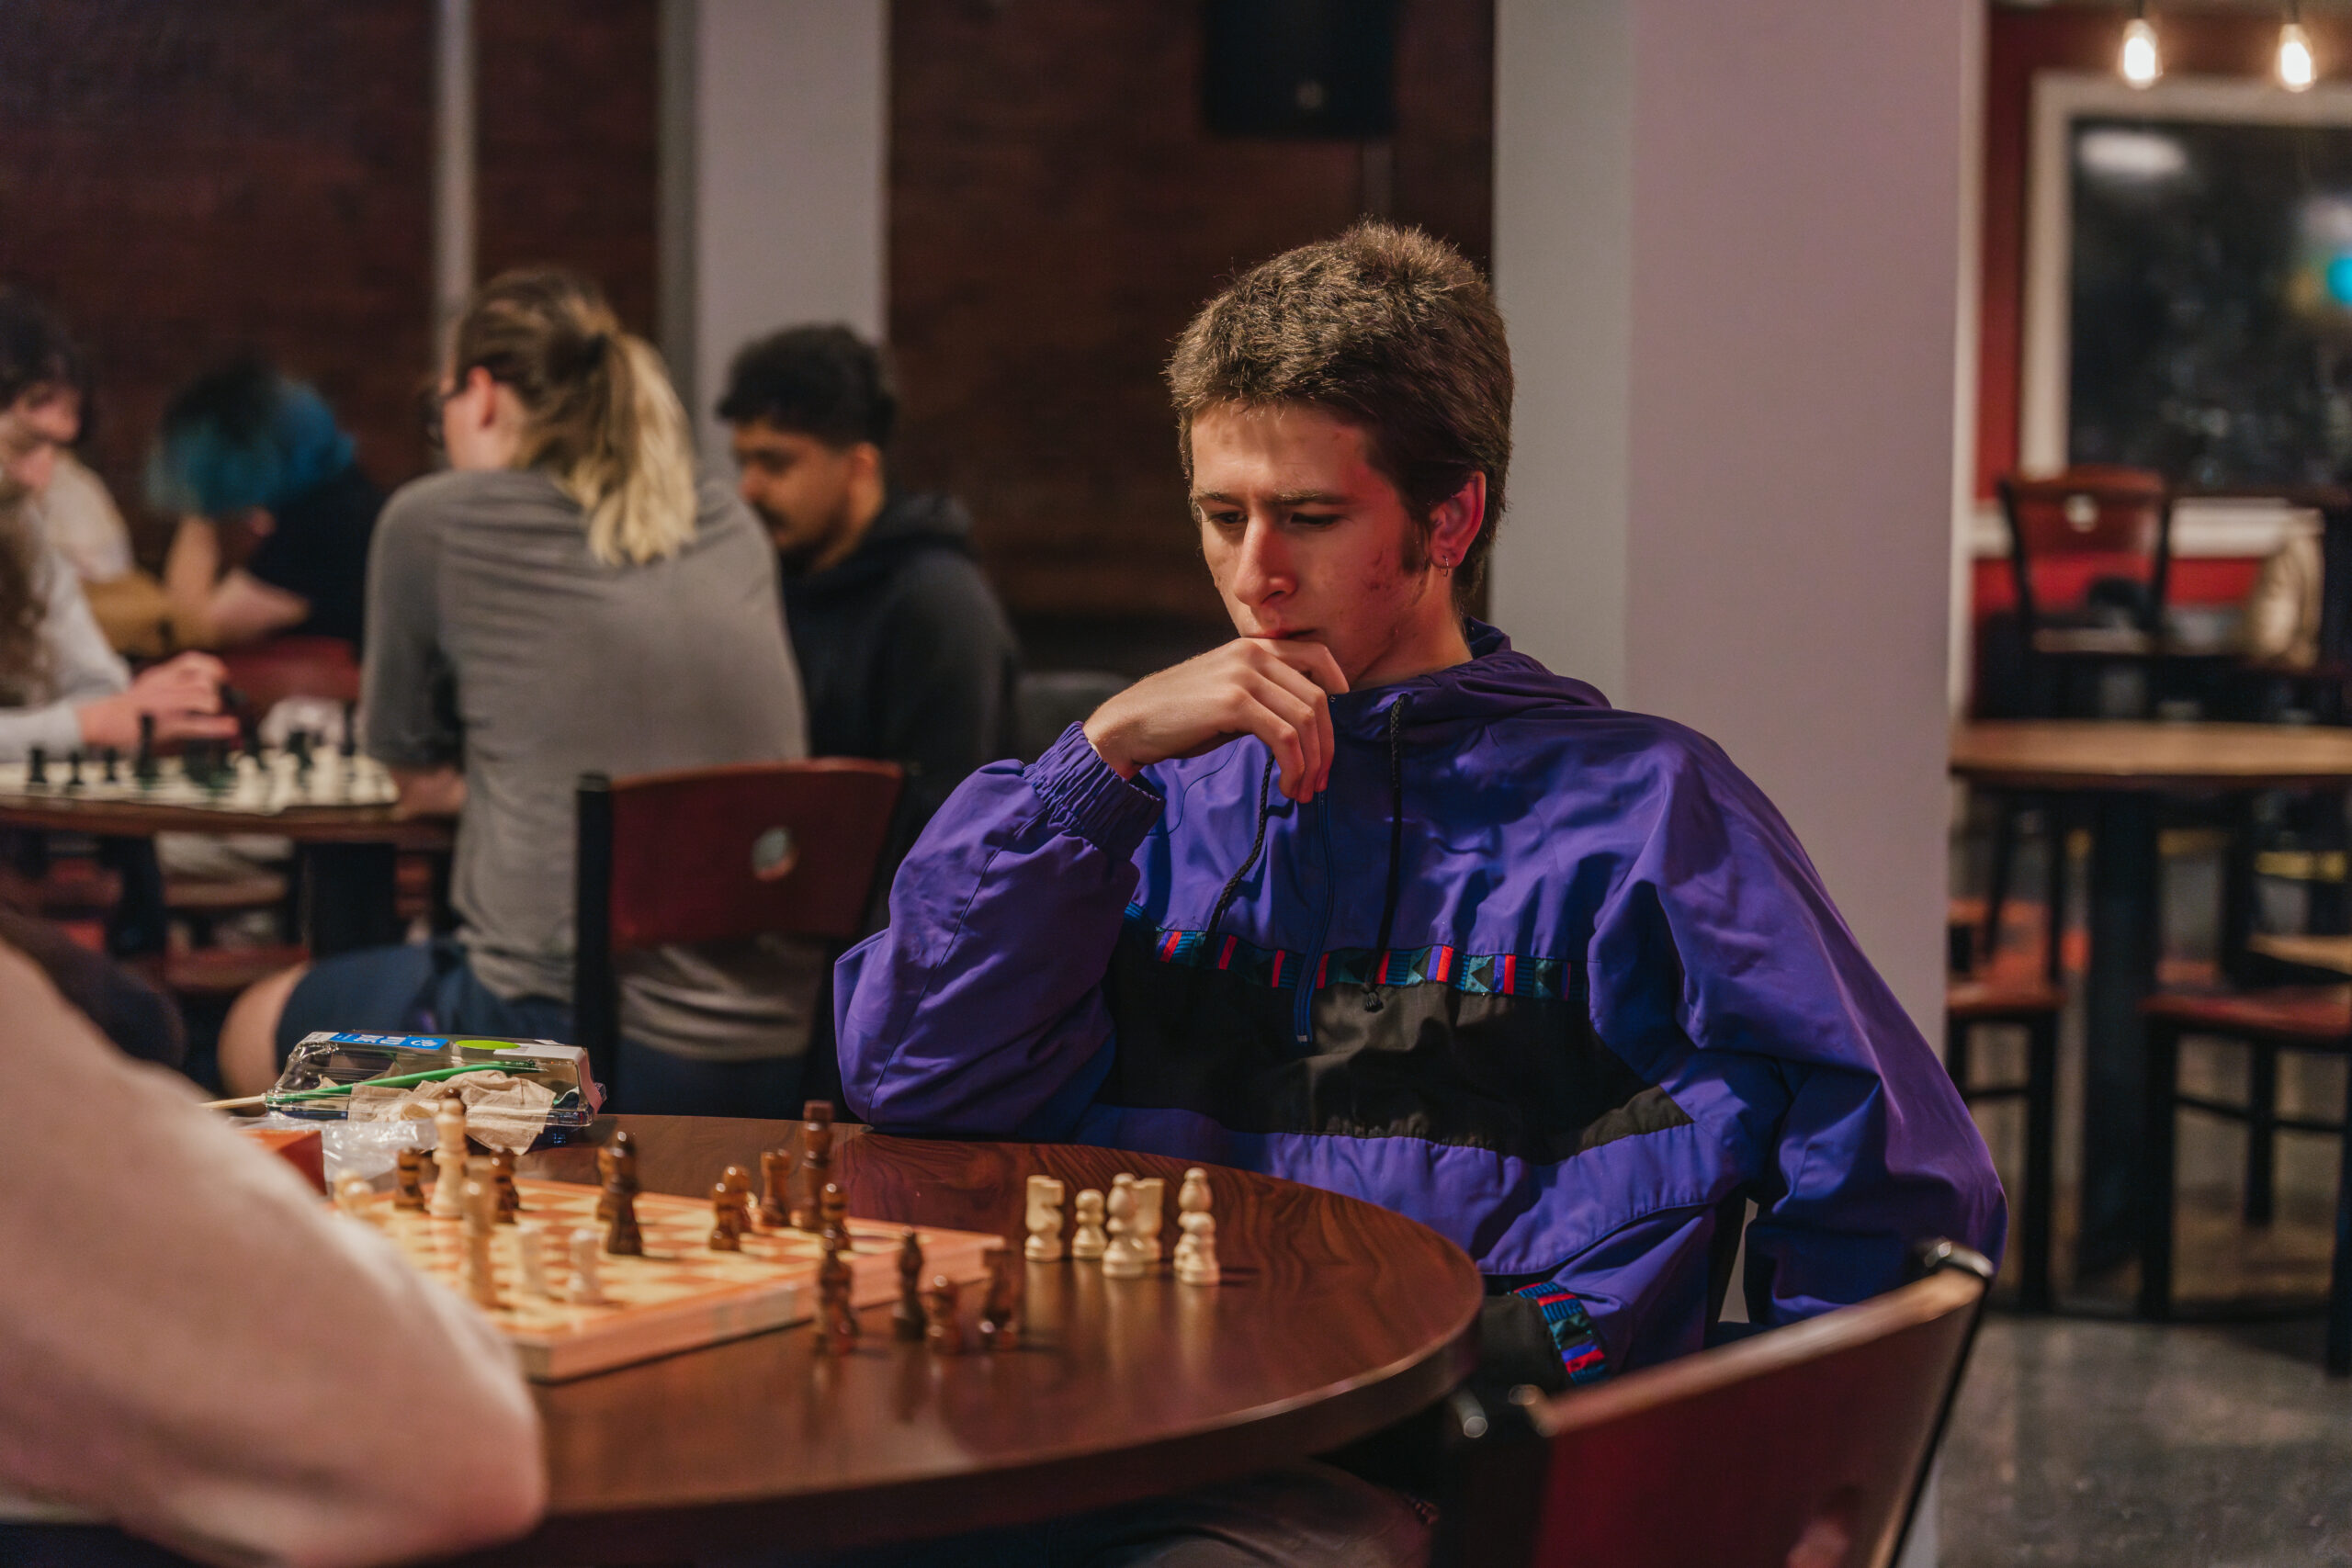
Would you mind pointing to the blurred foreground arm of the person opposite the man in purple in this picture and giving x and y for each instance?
(206, 1355)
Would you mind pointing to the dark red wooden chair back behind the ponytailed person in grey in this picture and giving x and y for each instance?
(709, 855)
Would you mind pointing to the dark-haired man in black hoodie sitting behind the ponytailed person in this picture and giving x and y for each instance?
(902, 645)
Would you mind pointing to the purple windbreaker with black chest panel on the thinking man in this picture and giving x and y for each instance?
(1546, 977)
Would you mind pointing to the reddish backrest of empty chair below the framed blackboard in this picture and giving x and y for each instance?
(2083, 525)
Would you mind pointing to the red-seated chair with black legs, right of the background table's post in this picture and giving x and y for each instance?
(2313, 1019)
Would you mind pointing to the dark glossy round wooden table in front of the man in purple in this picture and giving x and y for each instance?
(1335, 1320)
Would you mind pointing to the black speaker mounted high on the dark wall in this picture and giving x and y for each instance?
(1299, 67)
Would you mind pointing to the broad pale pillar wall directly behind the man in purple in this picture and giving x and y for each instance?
(1742, 227)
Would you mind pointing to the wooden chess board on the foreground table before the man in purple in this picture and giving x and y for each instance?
(679, 1294)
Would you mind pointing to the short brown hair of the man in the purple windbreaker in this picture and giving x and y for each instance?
(1384, 328)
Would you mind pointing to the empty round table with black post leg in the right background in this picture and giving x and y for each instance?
(2120, 770)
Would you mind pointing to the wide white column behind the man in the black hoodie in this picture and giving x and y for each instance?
(784, 119)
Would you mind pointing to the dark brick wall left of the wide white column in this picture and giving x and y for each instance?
(194, 180)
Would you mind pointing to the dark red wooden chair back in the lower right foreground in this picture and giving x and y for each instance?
(1800, 1447)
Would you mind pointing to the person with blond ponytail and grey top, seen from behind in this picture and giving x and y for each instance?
(566, 601)
